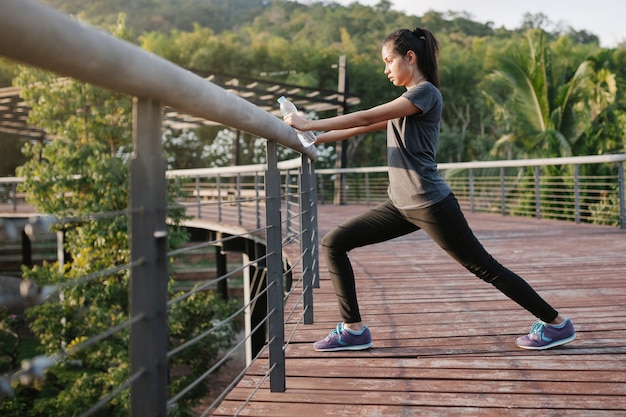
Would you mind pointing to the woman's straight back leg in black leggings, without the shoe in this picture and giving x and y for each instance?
(447, 226)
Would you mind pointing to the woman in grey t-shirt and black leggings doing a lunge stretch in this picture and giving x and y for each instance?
(418, 197)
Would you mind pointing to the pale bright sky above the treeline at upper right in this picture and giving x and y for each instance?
(604, 18)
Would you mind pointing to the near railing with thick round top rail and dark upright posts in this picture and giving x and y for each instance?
(39, 36)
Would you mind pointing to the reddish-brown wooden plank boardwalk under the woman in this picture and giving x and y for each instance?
(444, 341)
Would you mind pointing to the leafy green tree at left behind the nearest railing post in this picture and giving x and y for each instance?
(81, 176)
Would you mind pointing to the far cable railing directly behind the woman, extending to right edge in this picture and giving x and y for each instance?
(587, 189)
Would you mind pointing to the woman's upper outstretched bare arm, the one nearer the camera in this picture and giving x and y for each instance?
(399, 107)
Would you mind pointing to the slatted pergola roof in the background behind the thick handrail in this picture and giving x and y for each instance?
(262, 93)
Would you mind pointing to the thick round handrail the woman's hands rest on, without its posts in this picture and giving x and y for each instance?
(58, 43)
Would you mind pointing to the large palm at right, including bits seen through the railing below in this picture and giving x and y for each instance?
(549, 107)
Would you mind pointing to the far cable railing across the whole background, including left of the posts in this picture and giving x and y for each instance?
(527, 187)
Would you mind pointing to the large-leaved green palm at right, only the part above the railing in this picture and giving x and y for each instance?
(544, 112)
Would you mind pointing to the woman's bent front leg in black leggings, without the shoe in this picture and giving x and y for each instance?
(379, 224)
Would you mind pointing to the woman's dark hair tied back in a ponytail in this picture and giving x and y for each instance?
(423, 43)
